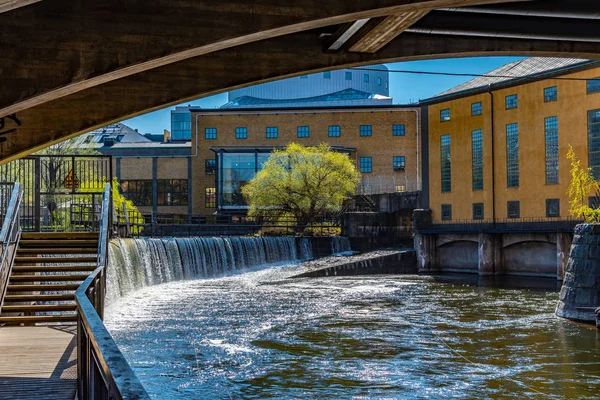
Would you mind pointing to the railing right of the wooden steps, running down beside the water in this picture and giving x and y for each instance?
(102, 370)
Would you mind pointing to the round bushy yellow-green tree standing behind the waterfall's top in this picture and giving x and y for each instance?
(301, 182)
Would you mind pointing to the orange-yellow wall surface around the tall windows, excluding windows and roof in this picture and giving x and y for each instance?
(571, 108)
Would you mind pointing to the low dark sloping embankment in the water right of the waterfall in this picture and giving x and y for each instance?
(376, 262)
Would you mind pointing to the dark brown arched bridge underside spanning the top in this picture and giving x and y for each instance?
(70, 66)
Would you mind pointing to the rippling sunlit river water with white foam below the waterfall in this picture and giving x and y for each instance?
(256, 335)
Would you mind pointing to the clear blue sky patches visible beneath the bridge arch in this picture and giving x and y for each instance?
(404, 88)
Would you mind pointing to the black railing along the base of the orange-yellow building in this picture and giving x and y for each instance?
(508, 225)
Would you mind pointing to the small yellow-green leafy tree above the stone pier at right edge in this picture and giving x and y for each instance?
(581, 185)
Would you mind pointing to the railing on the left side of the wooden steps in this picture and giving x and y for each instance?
(9, 237)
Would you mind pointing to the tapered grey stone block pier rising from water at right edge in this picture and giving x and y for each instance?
(580, 293)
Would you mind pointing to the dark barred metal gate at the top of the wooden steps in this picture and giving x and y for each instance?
(61, 193)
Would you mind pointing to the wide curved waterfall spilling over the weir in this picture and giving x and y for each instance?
(135, 263)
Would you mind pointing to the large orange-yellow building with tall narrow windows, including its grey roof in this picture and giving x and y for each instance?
(496, 146)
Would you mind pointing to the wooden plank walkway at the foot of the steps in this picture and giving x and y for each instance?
(38, 362)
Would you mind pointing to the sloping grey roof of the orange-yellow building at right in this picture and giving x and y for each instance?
(516, 71)
